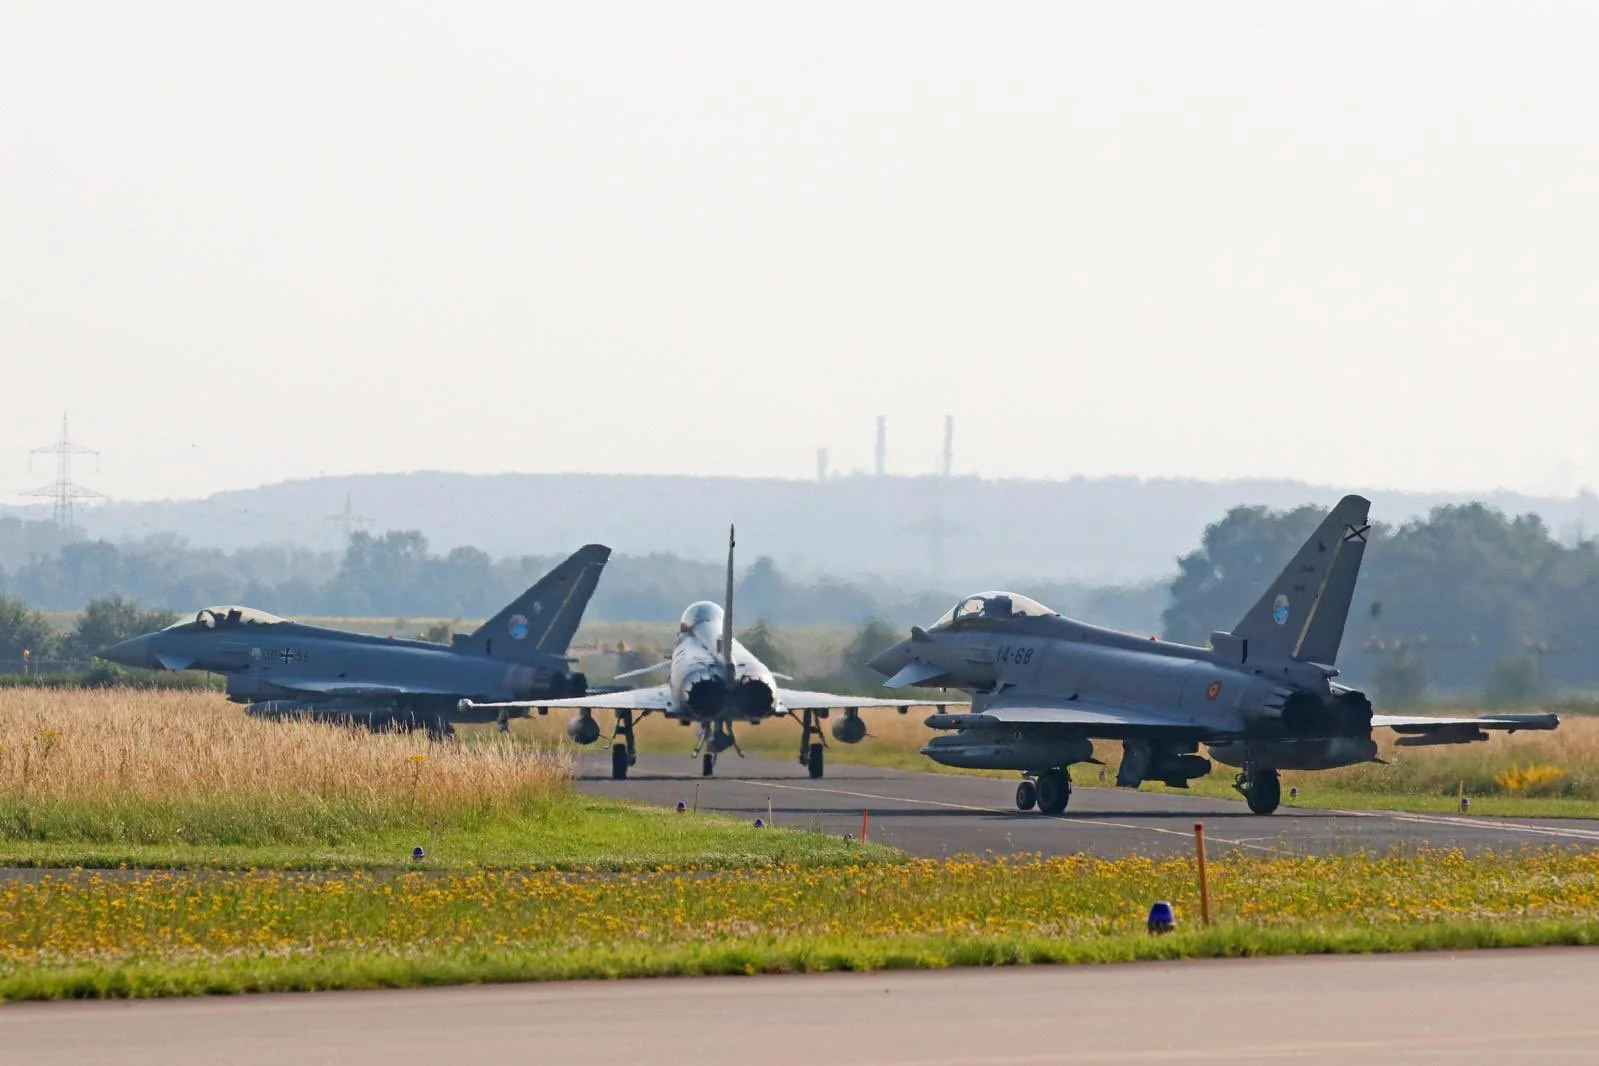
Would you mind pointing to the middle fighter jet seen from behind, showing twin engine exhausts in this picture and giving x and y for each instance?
(712, 682)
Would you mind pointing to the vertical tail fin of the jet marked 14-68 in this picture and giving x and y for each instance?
(1302, 615)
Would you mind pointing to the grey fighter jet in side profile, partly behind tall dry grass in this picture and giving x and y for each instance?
(289, 669)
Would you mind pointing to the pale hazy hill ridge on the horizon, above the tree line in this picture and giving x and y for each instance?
(939, 530)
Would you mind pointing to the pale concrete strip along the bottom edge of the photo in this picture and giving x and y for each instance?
(1475, 1008)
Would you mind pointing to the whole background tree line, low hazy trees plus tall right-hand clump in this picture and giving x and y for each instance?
(1465, 600)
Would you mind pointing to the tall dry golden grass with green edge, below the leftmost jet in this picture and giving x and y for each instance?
(103, 778)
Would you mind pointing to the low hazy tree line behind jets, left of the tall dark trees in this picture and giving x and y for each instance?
(397, 573)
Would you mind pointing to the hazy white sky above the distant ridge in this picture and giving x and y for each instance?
(1349, 244)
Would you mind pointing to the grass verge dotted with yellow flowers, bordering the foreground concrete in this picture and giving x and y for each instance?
(183, 934)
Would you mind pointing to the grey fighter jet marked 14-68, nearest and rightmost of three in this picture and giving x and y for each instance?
(1262, 698)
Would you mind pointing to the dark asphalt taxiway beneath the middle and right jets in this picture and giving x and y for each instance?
(947, 814)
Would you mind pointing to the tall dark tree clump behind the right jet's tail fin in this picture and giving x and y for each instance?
(1465, 600)
